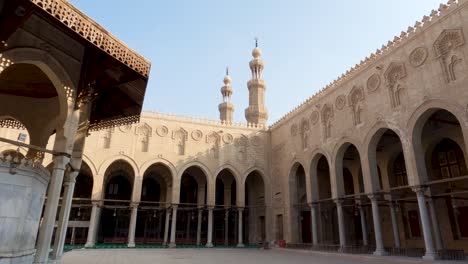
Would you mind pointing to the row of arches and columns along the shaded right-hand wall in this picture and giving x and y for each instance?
(397, 187)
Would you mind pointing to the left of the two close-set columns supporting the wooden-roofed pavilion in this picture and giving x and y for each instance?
(48, 221)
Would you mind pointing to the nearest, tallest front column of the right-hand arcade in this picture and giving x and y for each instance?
(427, 231)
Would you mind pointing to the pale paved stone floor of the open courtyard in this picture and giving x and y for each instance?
(223, 256)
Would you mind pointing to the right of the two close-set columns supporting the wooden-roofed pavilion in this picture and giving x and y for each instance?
(61, 233)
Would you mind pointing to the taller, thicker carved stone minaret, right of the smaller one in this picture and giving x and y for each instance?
(256, 113)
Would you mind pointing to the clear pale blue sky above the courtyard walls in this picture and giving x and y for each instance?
(305, 43)
